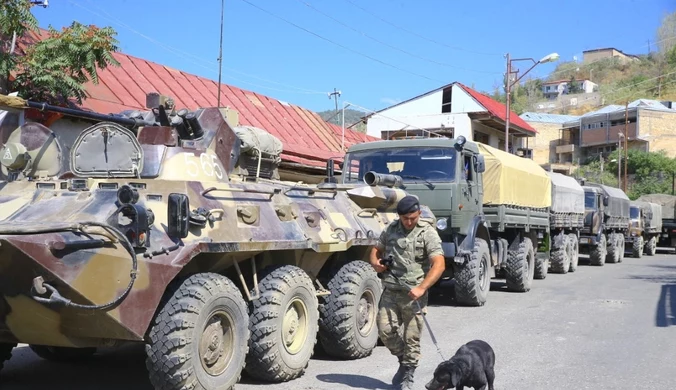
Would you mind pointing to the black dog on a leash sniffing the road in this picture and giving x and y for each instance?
(471, 366)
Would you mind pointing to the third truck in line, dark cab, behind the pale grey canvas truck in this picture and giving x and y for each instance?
(606, 222)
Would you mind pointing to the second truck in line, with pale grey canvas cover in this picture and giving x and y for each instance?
(567, 219)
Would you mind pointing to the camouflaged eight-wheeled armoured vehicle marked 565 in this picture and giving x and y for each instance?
(164, 227)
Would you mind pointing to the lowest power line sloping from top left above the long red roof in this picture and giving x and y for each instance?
(184, 55)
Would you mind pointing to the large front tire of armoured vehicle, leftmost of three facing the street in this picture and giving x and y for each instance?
(198, 340)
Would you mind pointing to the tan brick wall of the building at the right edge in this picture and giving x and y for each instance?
(659, 129)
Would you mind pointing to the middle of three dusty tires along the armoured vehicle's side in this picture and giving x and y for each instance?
(283, 324)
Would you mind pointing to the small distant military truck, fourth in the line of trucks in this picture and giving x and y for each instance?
(645, 226)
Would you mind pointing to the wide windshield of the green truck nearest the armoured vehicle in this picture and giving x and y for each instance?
(411, 163)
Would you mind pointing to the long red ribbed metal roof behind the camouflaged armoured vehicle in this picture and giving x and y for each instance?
(307, 138)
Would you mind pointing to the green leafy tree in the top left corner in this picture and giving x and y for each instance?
(56, 68)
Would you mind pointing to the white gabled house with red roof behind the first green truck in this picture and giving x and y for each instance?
(452, 110)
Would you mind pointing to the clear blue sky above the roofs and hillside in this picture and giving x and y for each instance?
(375, 52)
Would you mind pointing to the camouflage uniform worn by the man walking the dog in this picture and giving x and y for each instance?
(399, 319)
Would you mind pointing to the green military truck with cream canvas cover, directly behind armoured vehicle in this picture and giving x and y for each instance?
(492, 208)
